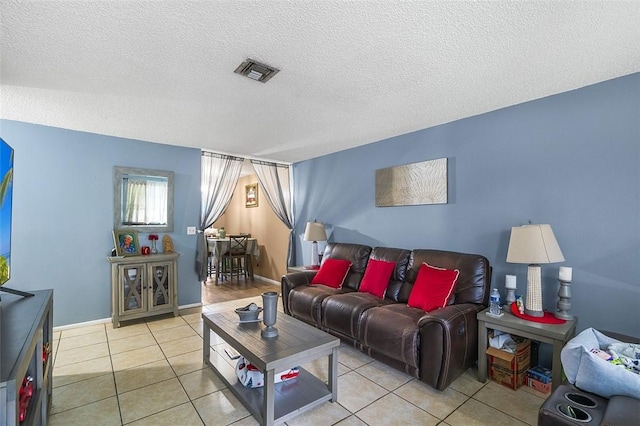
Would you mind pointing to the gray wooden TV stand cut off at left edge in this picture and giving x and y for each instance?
(26, 325)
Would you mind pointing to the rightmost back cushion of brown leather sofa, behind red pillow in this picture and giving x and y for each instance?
(473, 283)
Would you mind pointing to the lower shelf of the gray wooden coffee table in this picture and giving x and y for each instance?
(291, 397)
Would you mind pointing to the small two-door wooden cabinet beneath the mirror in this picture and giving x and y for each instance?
(143, 286)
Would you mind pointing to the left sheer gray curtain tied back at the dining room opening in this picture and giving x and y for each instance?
(219, 177)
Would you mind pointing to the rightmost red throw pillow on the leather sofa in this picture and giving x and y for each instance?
(433, 287)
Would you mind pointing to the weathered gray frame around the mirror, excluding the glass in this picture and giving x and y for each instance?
(118, 174)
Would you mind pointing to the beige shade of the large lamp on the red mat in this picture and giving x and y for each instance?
(533, 244)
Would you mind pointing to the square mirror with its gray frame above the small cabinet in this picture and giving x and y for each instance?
(143, 199)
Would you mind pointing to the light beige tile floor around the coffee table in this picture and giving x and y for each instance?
(151, 373)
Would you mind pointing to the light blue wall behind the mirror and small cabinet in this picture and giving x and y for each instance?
(63, 213)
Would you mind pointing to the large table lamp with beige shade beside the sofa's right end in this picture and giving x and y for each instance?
(533, 245)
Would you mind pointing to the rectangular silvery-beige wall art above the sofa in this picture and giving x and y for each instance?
(412, 184)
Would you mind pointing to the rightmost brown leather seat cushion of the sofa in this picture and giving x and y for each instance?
(392, 330)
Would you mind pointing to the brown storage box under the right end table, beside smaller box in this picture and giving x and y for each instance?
(510, 369)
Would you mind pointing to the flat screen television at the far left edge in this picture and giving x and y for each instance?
(6, 209)
